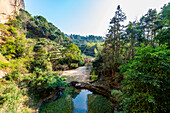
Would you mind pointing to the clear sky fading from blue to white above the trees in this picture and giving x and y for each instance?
(88, 17)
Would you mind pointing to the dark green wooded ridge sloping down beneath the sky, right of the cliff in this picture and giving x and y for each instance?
(38, 26)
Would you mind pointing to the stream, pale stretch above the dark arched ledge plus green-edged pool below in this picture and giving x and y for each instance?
(78, 100)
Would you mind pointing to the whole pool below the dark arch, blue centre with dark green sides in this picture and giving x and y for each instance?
(78, 101)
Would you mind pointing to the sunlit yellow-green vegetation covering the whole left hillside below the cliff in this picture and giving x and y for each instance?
(30, 49)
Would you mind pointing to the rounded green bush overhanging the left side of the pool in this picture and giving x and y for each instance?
(42, 84)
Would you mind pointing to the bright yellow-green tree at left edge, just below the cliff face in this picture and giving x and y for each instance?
(15, 45)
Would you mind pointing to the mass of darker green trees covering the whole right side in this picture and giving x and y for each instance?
(135, 61)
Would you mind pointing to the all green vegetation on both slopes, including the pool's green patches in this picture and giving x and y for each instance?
(133, 59)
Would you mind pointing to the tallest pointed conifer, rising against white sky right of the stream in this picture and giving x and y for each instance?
(111, 54)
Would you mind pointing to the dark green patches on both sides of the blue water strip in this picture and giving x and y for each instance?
(96, 103)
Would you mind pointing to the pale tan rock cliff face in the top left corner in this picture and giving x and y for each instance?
(8, 7)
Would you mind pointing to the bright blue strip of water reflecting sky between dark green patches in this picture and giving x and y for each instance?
(80, 102)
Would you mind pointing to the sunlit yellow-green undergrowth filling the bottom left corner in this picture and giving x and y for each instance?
(15, 96)
